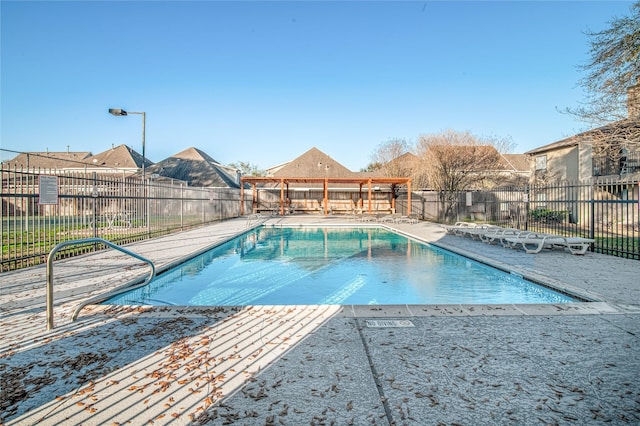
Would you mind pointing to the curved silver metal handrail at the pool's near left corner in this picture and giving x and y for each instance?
(101, 297)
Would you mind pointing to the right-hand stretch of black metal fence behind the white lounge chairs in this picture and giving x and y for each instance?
(605, 210)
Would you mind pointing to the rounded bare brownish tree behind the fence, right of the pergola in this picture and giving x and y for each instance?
(456, 161)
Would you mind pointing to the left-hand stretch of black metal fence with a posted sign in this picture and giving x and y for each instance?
(42, 208)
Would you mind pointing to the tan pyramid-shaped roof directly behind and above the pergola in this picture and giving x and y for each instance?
(314, 164)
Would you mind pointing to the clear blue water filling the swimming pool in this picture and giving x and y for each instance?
(289, 266)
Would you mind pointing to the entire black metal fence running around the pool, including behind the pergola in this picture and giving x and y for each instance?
(40, 210)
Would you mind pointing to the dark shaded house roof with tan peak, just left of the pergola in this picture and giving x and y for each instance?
(196, 168)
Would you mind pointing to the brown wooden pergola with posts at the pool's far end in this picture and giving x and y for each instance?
(285, 181)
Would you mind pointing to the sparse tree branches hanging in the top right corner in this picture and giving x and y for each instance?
(614, 65)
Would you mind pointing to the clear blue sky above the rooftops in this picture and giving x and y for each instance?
(263, 82)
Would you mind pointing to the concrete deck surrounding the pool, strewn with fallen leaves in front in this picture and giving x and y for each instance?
(414, 365)
